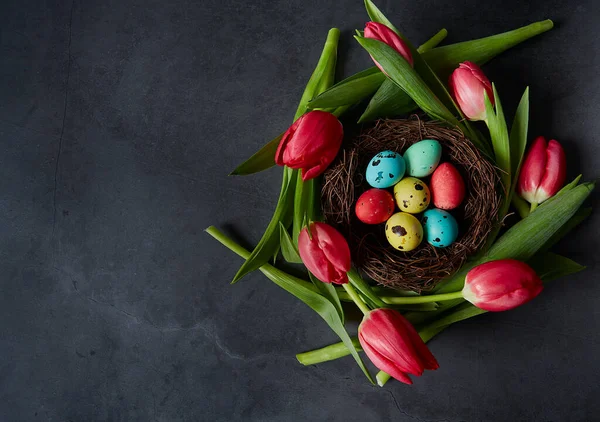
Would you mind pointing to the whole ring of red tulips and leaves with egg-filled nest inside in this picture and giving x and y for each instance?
(472, 262)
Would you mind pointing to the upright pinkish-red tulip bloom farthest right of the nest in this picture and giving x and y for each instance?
(543, 172)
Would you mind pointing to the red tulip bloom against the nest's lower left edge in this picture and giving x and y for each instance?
(325, 253)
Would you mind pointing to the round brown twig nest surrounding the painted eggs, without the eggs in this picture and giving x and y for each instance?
(423, 267)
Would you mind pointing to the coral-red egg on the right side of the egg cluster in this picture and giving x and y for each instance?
(447, 187)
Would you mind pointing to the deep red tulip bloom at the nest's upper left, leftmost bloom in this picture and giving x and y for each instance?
(311, 143)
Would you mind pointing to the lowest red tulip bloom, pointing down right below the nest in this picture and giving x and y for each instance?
(393, 345)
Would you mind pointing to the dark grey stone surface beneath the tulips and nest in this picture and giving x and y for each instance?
(119, 121)
